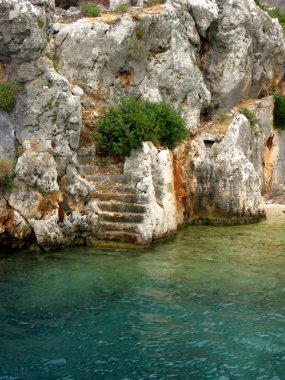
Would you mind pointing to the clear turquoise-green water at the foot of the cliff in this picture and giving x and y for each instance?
(209, 304)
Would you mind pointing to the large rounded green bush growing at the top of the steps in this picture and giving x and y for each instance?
(125, 127)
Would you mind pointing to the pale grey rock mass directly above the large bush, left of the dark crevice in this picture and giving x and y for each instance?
(151, 56)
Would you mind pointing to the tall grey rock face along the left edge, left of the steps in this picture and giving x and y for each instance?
(44, 128)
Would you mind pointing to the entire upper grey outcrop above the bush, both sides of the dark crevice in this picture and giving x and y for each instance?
(191, 53)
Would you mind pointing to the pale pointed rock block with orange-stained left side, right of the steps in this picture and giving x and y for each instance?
(224, 185)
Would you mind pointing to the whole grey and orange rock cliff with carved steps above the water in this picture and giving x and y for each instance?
(209, 58)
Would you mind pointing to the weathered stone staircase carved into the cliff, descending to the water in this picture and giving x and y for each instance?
(121, 209)
